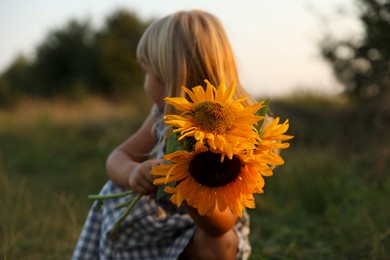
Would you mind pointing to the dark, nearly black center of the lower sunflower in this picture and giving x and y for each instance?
(207, 169)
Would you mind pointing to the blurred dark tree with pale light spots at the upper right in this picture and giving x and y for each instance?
(363, 65)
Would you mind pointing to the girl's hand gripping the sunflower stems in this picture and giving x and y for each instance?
(141, 180)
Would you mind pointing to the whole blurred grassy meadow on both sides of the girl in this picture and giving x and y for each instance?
(329, 201)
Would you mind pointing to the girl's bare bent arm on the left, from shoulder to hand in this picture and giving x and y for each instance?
(128, 164)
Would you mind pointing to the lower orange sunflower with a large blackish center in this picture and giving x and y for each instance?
(205, 181)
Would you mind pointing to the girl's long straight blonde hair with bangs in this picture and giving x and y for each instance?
(187, 47)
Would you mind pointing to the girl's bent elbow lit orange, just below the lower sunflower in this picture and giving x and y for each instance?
(217, 224)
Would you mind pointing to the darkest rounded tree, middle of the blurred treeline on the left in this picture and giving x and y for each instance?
(65, 61)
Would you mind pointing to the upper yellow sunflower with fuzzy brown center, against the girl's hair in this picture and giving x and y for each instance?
(213, 118)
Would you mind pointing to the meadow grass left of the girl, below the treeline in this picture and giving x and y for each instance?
(48, 166)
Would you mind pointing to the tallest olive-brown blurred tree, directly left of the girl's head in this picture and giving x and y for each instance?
(116, 44)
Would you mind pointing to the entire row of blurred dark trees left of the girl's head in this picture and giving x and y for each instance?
(76, 60)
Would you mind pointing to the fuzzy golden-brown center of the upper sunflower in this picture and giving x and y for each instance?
(213, 116)
